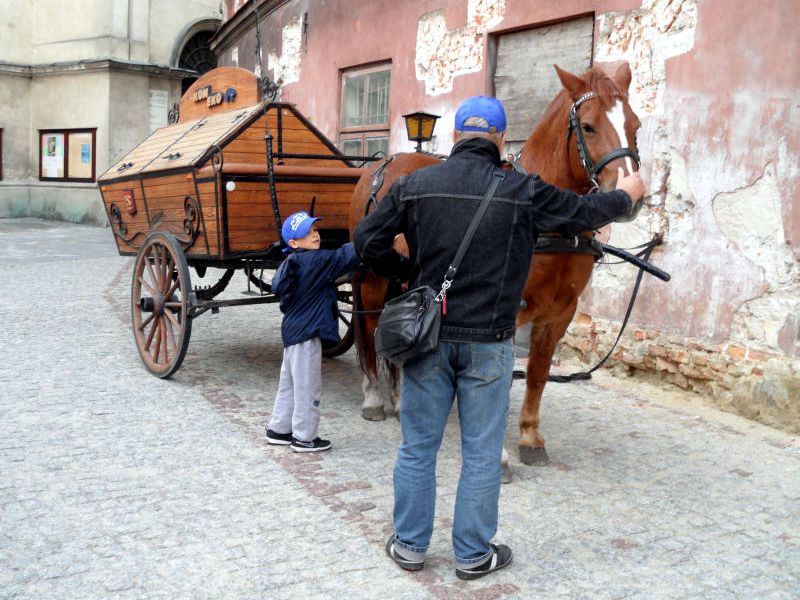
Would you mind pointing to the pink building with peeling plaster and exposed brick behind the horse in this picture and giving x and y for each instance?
(715, 85)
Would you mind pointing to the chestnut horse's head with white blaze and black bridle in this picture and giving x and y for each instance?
(602, 124)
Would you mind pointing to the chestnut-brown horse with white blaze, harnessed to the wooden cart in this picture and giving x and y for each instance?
(586, 134)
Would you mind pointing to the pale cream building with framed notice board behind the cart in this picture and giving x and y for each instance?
(82, 82)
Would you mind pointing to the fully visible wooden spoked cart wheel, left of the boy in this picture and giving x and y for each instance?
(160, 304)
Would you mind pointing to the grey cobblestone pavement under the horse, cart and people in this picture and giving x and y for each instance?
(116, 484)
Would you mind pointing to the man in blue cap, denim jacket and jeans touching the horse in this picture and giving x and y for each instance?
(433, 207)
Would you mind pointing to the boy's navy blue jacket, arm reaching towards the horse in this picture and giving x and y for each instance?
(304, 282)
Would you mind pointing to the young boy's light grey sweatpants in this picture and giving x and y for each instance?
(296, 408)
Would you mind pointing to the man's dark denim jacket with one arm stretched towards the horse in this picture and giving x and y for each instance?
(433, 207)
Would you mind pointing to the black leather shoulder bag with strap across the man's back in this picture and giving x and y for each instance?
(409, 324)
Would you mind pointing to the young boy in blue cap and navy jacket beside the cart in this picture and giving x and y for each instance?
(305, 284)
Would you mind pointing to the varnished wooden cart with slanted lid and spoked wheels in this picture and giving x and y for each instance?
(210, 191)
